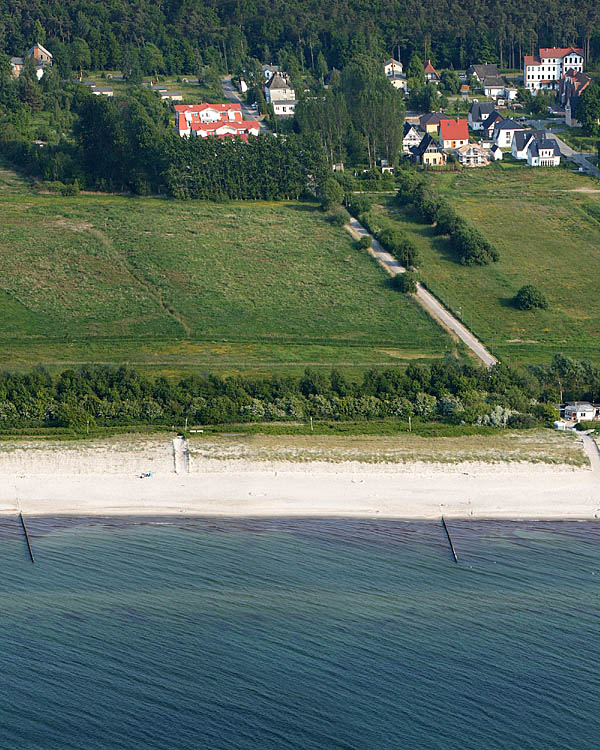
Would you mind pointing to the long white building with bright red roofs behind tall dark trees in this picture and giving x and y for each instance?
(219, 120)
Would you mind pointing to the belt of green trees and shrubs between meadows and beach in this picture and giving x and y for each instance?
(448, 391)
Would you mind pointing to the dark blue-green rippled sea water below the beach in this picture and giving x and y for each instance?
(299, 634)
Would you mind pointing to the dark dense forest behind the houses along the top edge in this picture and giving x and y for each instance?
(180, 36)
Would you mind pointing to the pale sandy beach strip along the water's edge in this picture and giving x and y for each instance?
(102, 478)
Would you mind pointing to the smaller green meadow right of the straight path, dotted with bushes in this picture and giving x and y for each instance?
(546, 226)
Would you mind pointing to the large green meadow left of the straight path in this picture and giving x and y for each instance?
(171, 286)
